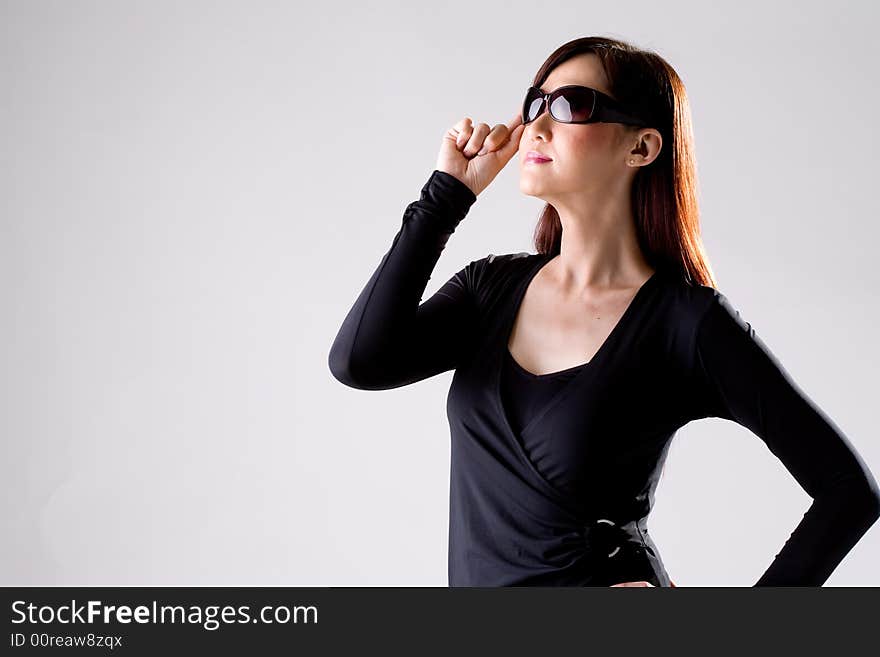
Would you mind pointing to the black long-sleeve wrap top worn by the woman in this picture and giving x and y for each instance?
(559, 493)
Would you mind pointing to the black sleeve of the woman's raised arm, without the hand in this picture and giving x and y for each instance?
(388, 339)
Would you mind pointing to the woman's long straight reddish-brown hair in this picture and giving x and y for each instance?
(664, 192)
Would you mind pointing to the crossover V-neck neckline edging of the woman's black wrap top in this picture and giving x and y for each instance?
(509, 323)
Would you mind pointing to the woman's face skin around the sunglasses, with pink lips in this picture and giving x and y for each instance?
(586, 157)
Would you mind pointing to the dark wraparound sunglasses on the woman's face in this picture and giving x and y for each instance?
(574, 103)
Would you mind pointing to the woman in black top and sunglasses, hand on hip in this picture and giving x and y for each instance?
(575, 366)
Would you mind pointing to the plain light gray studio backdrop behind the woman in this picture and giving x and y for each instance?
(190, 206)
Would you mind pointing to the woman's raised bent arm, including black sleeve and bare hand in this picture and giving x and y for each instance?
(388, 339)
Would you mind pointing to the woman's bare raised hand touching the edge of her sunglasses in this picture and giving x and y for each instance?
(475, 154)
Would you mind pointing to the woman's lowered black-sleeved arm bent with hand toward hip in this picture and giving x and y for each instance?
(744, 382)
